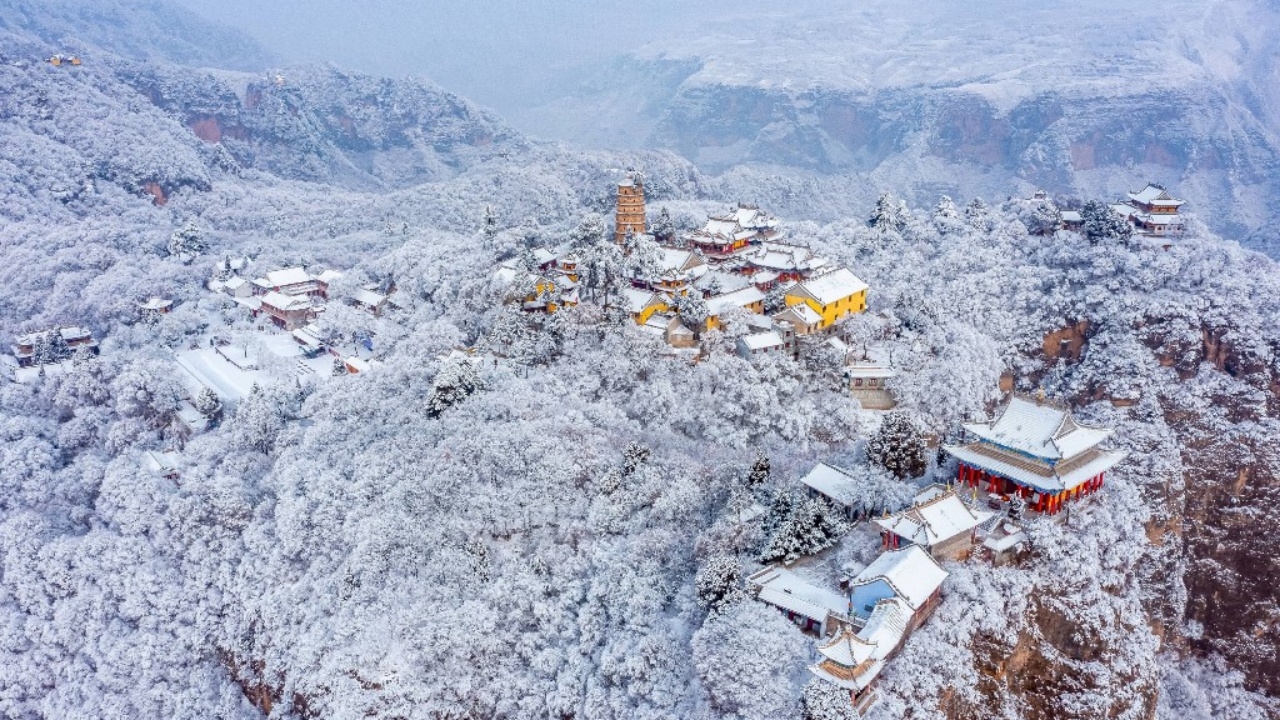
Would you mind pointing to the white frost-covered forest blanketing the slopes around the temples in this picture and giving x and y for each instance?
(377, 546)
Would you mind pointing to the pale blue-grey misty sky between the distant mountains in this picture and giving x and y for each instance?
(487, 51)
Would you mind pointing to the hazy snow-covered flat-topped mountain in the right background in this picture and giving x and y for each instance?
(1082, 99)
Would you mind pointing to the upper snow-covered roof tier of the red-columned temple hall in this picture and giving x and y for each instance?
(1039, 430)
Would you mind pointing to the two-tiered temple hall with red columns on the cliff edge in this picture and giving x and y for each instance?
(1037, 452)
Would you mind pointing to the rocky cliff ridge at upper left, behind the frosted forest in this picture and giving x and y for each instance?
(328, 126)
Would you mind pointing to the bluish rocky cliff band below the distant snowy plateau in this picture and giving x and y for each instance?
(1196, 140)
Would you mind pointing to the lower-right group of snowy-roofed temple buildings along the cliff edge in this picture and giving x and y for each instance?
(1032, 454)
